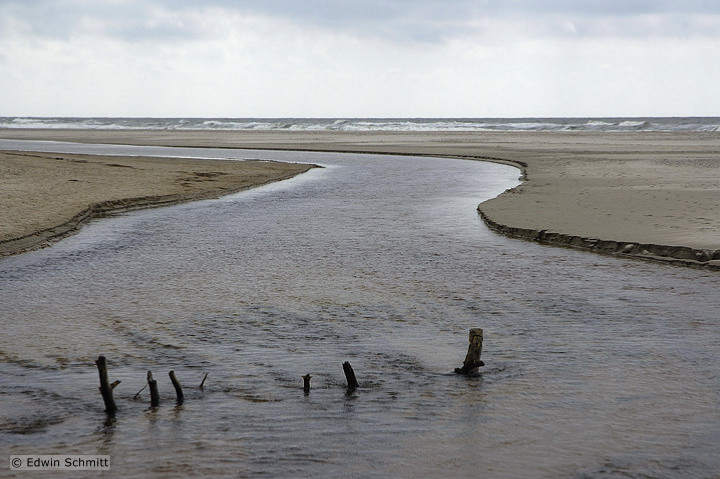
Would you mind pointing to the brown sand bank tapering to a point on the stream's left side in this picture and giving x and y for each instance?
(48, 196)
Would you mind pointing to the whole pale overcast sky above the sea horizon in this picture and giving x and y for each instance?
(359, 58)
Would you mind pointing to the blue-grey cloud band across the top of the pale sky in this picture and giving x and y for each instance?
(398, 20)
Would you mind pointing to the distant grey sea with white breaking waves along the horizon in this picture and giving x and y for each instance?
(661, 124)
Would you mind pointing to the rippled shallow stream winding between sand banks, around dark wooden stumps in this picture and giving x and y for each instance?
(595, 366)
